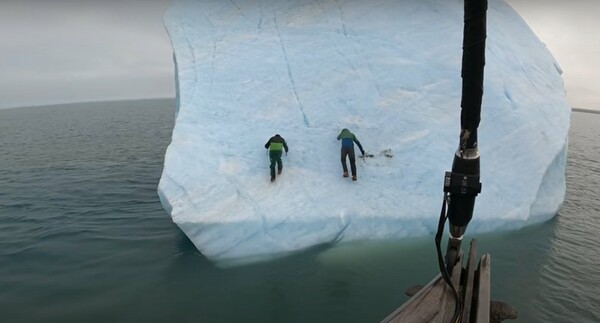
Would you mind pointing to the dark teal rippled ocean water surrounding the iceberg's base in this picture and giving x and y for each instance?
(83, 238)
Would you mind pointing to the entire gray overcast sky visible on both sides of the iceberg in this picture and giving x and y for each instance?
(56, 51)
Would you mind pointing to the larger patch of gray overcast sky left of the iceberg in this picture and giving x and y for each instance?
(56, 51)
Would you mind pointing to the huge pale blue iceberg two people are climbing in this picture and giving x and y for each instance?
(387, 70)
